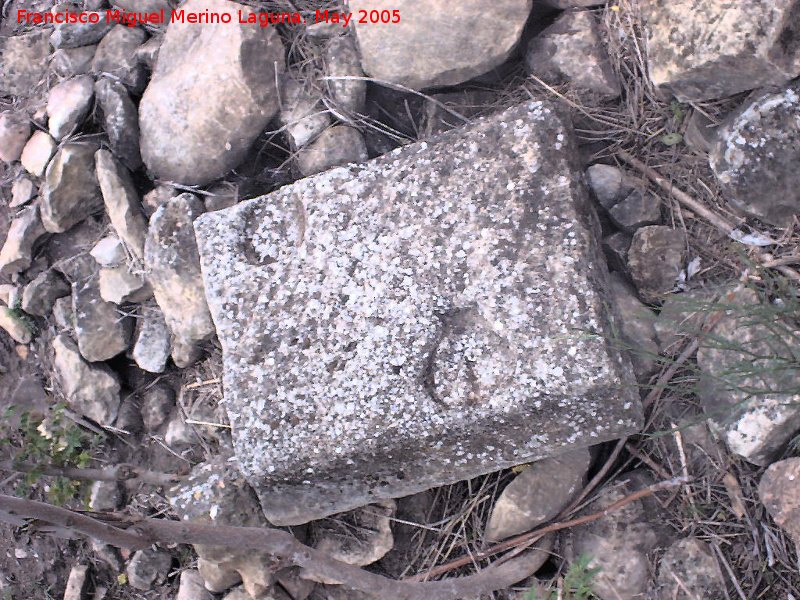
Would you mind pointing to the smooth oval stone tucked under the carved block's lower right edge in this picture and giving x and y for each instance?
(538, 494)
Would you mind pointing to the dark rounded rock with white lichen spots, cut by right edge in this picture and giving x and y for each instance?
(756, 155)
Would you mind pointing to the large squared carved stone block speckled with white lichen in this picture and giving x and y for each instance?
(426, 317)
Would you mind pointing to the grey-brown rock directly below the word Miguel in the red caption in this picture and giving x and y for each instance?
(116, 57)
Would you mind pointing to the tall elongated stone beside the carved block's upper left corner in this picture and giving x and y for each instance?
(173, 270)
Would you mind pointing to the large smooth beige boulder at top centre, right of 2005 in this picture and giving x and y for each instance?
(436, 42)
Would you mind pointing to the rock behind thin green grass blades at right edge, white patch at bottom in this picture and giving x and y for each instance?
(749, 369)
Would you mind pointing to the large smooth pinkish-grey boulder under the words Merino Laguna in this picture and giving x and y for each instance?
(212, 93)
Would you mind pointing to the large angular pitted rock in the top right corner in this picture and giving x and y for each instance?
(718, 48)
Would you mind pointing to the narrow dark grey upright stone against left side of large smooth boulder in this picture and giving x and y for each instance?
(120, 120)
